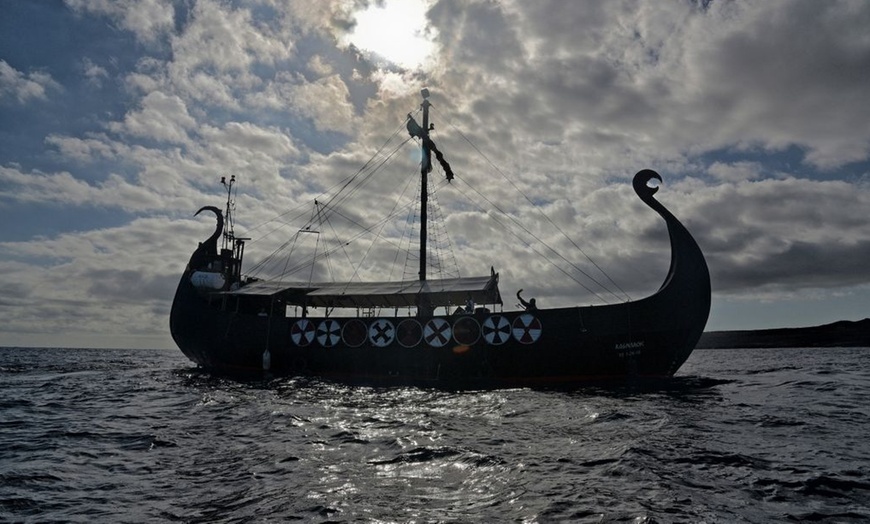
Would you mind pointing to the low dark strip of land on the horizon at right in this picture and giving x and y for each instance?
(839, 334)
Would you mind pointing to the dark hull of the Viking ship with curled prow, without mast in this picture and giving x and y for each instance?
(236, 332)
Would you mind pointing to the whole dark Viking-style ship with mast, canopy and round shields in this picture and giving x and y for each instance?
(446, 332)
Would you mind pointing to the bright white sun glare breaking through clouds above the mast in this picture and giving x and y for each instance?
(395, 31)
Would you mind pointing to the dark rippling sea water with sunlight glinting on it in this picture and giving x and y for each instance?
(757, 436)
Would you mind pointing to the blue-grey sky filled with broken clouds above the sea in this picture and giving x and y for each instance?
(118, 117)
